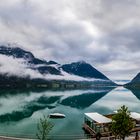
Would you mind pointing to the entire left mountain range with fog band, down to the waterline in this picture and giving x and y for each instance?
(21, 68)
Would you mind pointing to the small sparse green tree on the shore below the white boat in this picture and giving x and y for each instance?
(44, 126)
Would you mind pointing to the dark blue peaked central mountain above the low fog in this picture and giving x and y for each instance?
(83, 69)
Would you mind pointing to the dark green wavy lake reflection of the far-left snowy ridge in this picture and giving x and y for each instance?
(27, 111)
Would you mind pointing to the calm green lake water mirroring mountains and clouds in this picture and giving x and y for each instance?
(21, 110)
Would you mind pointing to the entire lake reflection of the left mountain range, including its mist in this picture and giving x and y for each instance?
(26, 102)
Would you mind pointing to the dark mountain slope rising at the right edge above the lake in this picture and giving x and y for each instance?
(134, 83)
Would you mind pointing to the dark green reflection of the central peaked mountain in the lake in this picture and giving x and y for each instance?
(84, 100)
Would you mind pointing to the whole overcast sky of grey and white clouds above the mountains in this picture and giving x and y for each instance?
(104, 33)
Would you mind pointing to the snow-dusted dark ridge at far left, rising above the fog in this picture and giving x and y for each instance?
(39, 65)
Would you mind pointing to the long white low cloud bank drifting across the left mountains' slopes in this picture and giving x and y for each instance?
(21, 68)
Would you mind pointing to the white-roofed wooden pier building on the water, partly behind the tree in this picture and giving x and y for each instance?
(96, 124)
